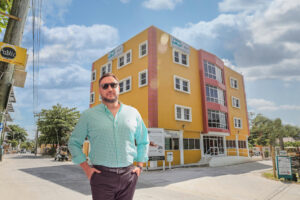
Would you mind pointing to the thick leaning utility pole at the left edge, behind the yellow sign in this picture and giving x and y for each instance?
(13, 35)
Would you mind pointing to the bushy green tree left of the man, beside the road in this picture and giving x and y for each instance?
(56, 124)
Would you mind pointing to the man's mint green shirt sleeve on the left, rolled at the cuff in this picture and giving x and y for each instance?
(76, 140)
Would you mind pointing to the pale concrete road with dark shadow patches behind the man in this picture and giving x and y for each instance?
(24, 177)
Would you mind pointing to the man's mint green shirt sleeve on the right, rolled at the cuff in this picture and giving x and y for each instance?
(142, 141)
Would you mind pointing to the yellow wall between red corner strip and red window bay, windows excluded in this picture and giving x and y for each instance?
(168, 96)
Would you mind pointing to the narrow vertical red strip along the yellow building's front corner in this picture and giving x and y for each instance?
(152, 79)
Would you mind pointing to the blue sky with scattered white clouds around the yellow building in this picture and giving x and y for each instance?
(258, 38)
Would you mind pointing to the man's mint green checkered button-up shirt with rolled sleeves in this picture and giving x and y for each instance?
(112, 139)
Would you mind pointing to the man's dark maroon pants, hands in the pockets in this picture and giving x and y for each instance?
(113, 183)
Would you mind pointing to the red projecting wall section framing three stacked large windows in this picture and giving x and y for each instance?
(203, 55)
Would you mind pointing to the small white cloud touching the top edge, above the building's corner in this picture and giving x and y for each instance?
(161, 4)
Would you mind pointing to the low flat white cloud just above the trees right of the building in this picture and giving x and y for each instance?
(265, 105)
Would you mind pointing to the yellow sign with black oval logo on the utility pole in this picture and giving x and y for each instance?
(13, 54)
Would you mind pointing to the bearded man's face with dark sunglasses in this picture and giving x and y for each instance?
(108, 93)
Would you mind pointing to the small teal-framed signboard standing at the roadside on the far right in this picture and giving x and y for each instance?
(284, 167)
